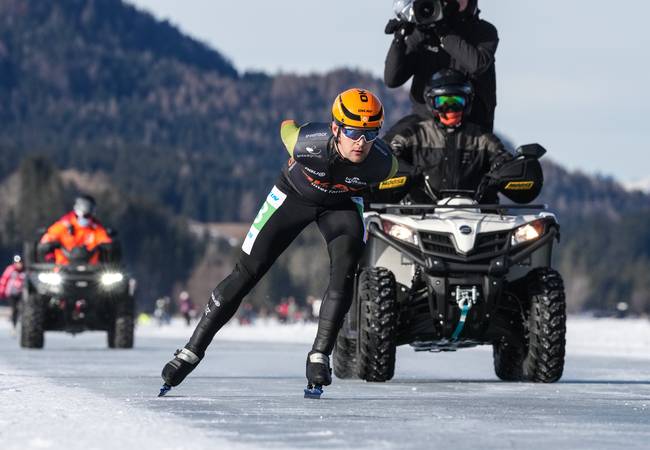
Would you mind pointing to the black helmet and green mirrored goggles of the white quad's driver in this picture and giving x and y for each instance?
(449, 95)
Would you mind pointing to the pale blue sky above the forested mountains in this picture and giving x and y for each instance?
(572, 75)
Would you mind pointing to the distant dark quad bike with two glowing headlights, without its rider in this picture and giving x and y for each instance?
(77, 297)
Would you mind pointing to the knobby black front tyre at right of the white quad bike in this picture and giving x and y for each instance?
(546, 326)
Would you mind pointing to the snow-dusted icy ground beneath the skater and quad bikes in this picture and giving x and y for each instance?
(76, 394)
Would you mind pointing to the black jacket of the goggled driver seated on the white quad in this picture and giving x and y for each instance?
(456, 159)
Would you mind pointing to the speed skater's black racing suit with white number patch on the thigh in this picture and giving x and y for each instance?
(317, 185)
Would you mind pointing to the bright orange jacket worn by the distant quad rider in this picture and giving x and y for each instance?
(67, 231)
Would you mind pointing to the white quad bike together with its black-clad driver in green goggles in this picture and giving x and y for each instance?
(457, 269)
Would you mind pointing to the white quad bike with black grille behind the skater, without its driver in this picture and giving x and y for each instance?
(456, 274)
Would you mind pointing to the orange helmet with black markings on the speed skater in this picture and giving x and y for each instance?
(358, 108)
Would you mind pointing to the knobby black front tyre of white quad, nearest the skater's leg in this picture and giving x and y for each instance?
(378, 311)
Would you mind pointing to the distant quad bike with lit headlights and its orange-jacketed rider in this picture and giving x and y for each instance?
(75, 281)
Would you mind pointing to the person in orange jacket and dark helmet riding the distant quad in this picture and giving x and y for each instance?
(75, 235)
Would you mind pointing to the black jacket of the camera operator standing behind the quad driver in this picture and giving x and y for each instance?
(469, 47)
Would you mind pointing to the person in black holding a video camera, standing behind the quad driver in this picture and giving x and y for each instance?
(431, 35)
